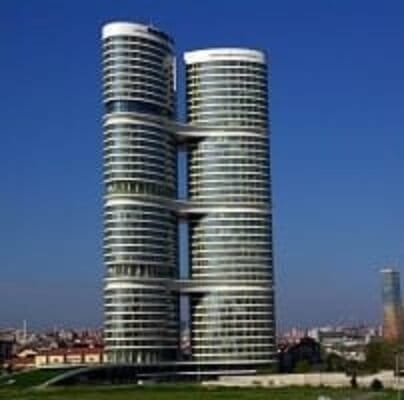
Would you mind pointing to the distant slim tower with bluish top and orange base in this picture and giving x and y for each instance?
(392, 305)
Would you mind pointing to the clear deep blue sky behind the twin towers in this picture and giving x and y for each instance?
(337, 148)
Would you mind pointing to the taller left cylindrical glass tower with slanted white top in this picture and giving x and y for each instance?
(141, 321)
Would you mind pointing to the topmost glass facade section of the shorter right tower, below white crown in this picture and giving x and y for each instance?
(227, 93)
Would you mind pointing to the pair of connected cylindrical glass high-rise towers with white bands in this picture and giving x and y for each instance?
(227, 210)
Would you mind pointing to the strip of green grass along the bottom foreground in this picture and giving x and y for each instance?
(189, 392)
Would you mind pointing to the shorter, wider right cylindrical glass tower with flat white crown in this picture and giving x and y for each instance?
(232, 317)
